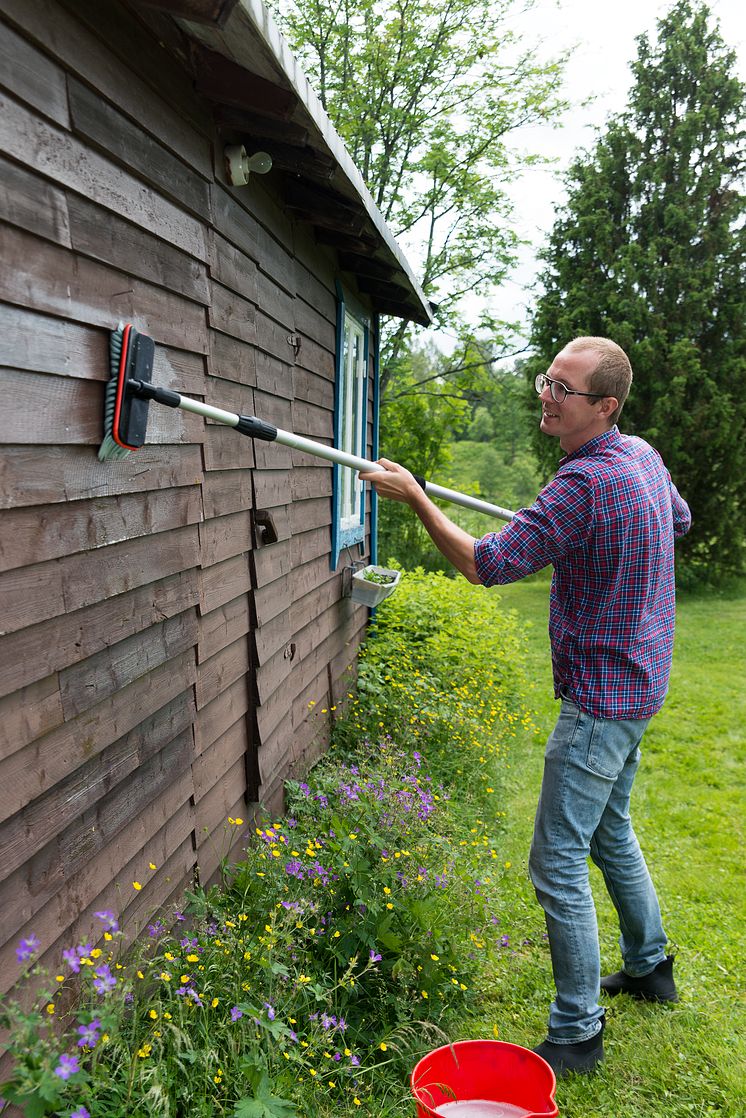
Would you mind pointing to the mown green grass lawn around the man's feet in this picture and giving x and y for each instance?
(688, 810)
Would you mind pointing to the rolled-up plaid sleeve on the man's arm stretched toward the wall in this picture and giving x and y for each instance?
(560, 522)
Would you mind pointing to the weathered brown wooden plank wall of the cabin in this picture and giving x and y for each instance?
(158, 660)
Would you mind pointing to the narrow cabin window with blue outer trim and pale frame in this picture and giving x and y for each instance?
(352, 391)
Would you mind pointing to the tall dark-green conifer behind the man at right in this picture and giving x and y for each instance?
(650, 251)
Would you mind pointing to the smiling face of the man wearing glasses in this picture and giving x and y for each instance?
(578, 419)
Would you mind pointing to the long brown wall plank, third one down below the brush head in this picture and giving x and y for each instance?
(34, 594)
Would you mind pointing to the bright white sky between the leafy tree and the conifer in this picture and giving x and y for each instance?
(605, 35)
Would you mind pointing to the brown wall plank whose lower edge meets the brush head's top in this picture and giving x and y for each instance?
(49, 279)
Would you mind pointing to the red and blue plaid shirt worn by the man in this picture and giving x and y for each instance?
(607, 523)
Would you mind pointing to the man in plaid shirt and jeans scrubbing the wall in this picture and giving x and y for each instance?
(607, 524)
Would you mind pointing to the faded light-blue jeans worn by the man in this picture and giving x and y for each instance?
(584, 809)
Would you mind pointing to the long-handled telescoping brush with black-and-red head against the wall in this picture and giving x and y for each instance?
(130, 392)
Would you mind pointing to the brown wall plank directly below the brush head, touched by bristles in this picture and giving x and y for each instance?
(73, 473)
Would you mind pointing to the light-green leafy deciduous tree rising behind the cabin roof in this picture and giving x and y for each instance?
(427, 96)
